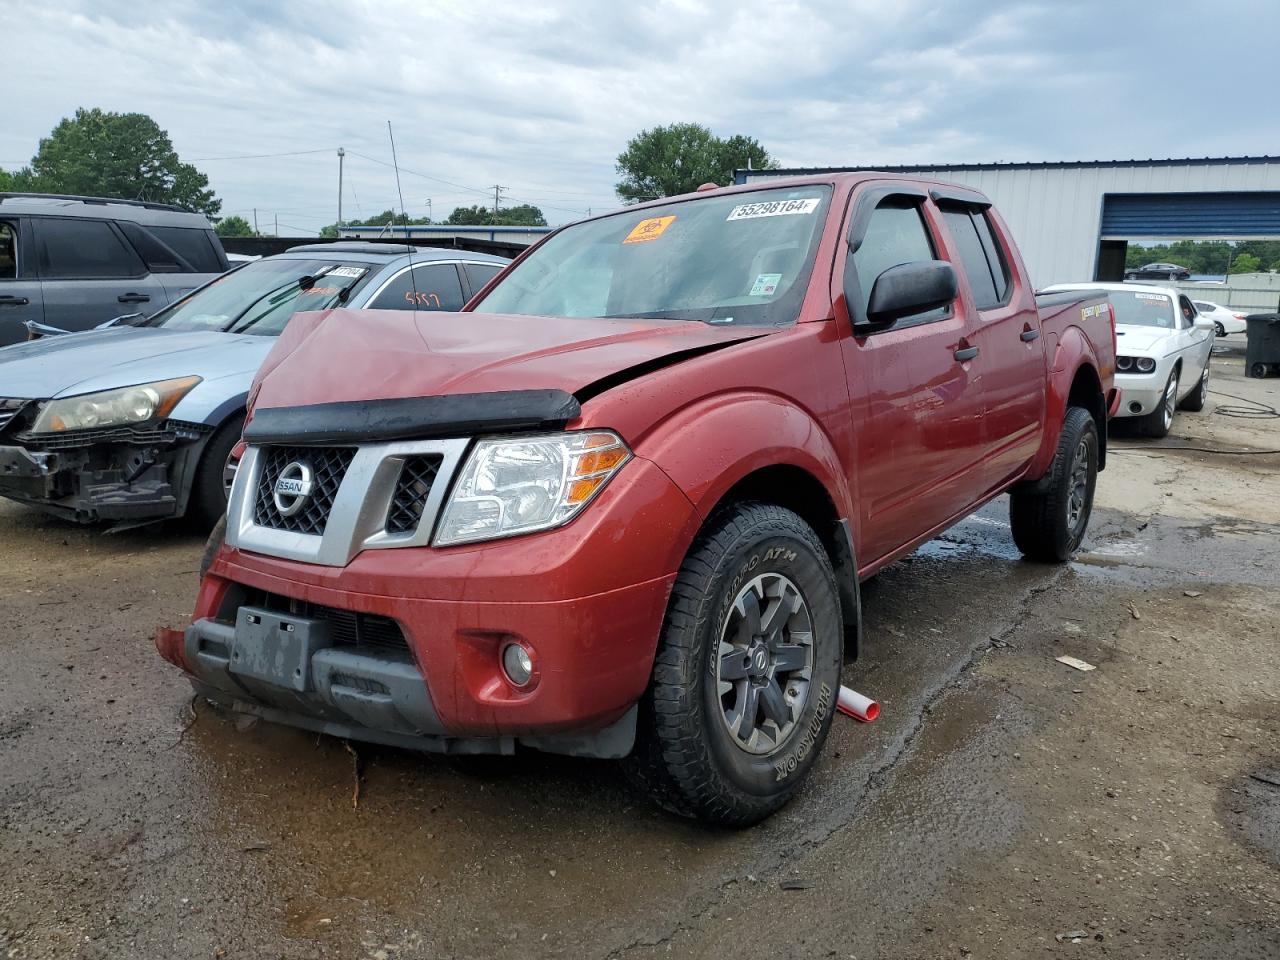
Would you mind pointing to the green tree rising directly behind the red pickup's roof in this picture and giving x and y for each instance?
(679, 159)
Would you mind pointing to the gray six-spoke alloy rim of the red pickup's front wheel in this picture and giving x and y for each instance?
(765, 664)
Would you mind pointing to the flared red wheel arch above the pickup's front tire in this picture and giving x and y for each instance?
(710, 446)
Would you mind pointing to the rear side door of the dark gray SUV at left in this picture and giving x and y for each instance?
(90, 273)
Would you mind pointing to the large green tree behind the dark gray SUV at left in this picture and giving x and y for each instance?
(106, 154)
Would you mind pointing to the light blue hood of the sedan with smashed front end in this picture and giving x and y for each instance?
(102, 360)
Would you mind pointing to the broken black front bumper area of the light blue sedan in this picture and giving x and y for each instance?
(122, 474)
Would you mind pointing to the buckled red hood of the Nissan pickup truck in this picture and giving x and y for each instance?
(344, 355)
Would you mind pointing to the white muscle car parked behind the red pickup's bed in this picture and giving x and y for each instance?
(1163, 348)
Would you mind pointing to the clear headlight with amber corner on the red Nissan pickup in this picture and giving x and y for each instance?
(519, 486)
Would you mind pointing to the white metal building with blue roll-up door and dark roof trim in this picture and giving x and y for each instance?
(1072, 221)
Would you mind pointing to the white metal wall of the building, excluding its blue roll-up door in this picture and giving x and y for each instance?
(1055, 212)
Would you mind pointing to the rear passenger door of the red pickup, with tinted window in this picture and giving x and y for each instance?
(1011, 360)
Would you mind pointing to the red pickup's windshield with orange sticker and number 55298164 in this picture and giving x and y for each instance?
(738, 259)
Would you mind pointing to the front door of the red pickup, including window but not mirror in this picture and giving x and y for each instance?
(916, 404)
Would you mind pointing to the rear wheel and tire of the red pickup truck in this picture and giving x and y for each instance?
(1049, 520)
